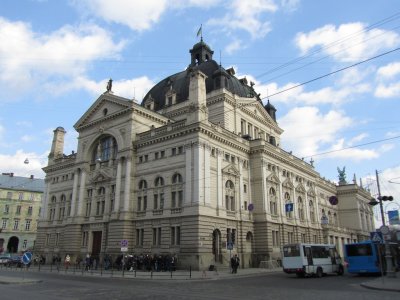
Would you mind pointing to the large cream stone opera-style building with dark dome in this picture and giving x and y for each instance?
(195, 171)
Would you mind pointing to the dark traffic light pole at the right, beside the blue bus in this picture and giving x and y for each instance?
(384, 229)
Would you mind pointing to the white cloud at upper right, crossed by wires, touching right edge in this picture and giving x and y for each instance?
(348, 42)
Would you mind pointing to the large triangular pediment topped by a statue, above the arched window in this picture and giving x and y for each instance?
(105, 107)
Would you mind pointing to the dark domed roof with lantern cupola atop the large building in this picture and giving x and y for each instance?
(201, 56)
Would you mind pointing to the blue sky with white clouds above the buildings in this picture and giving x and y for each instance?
(57, 56)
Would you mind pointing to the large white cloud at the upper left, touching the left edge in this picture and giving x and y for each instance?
(29, 58)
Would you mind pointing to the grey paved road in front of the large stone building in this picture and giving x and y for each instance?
(258, 286)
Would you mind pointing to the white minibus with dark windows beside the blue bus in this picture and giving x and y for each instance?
(311, 260)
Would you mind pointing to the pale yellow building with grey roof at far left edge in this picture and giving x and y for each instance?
(20, 207)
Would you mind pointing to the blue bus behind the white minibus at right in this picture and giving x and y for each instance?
(365, 257)
